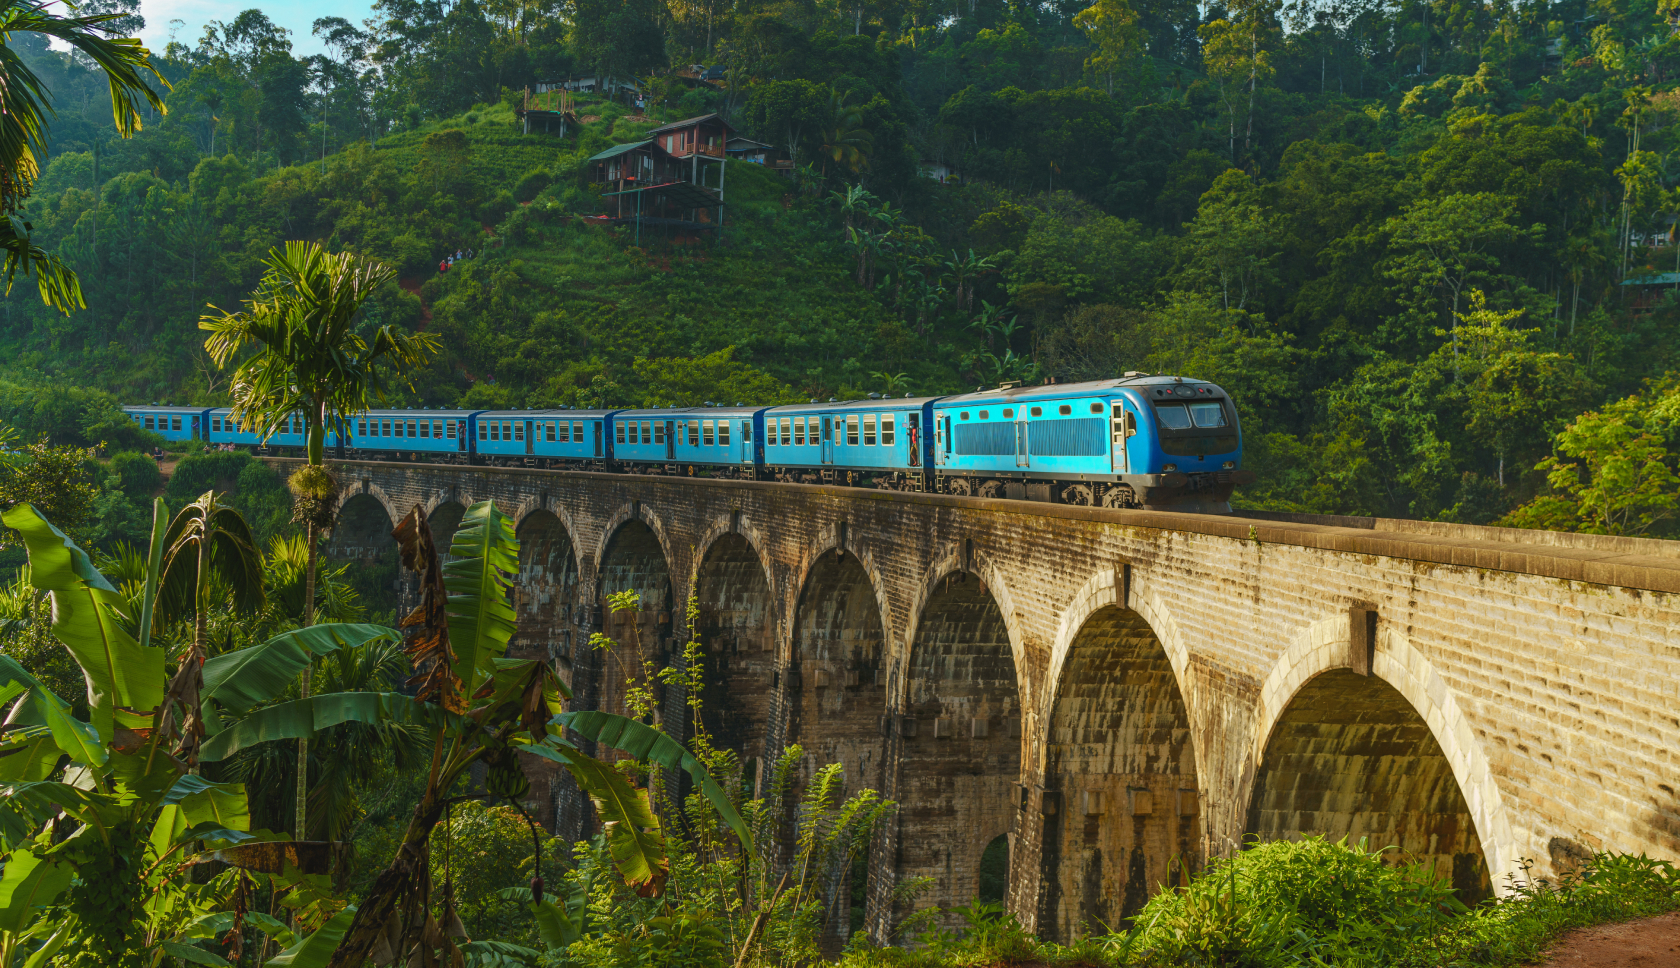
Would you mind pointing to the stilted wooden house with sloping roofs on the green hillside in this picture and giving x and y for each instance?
(673, 181)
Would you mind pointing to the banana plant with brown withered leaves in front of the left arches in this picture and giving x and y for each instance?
(480, 707)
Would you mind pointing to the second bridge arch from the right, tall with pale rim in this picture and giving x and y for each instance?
(1121, 809)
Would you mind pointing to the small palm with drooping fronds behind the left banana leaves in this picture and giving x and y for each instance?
(207, 549)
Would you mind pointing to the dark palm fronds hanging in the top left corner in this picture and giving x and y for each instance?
(24, 113)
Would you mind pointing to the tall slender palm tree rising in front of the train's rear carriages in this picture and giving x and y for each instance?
(312, 364)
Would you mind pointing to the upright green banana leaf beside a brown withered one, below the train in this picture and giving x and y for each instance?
(480, 577)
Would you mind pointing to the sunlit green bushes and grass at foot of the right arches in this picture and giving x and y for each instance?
(1316, 905)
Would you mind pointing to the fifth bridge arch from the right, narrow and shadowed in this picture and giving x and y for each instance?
(737, 629)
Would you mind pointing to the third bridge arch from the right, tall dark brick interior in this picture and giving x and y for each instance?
(958, 769)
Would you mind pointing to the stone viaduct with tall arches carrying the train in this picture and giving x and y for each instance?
(1100, 702)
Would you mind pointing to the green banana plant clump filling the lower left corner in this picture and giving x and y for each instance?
(100, 819)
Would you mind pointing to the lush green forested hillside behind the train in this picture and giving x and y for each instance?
(1404, 236)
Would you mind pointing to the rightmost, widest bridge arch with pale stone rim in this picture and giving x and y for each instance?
(1389, 757)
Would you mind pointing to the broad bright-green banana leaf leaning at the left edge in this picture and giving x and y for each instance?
(125, 681)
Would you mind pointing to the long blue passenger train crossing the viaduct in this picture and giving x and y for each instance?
(1140, 441)
